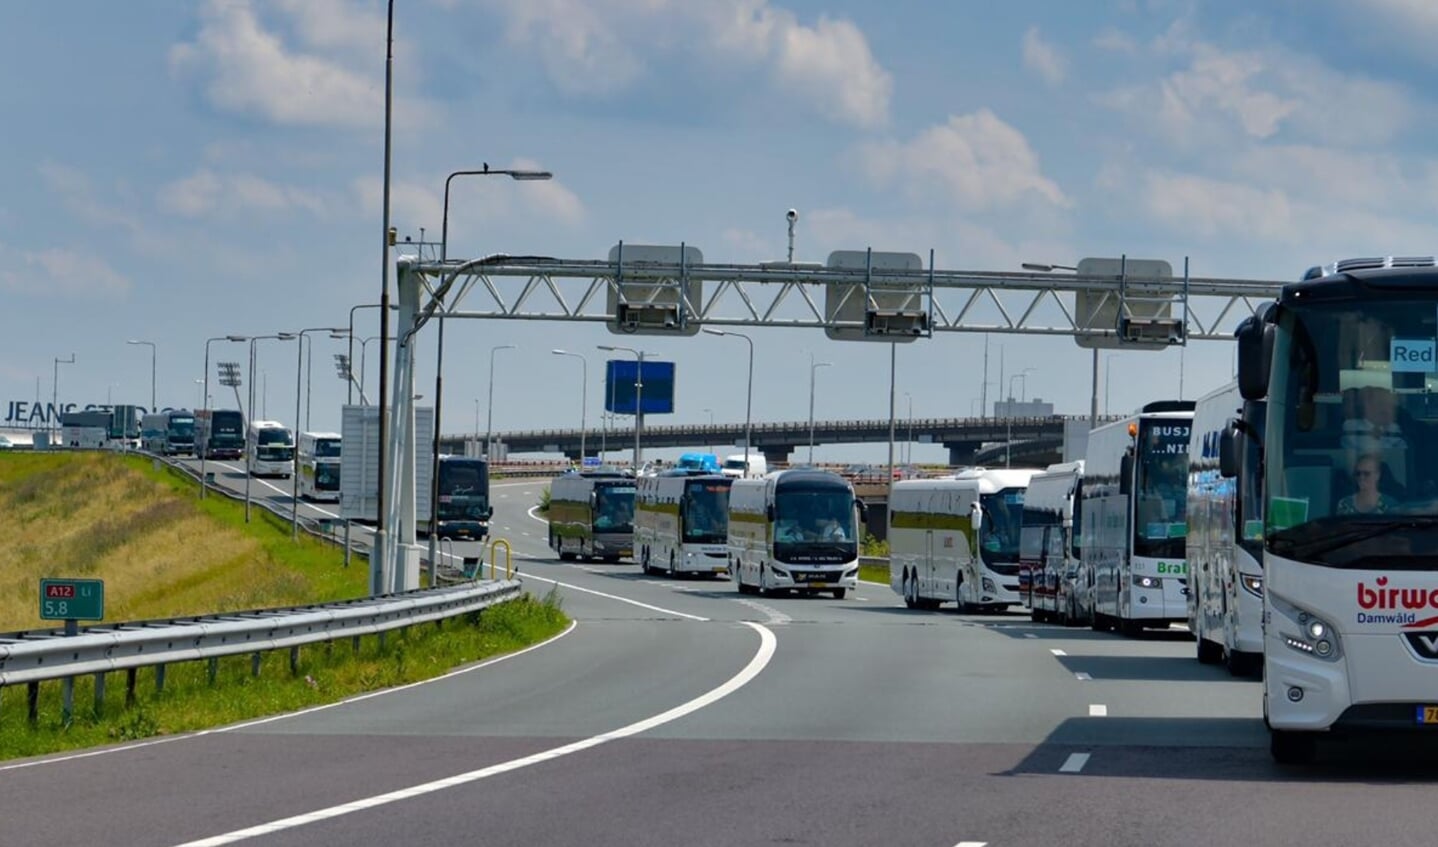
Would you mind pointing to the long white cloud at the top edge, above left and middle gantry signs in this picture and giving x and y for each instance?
(599, 47)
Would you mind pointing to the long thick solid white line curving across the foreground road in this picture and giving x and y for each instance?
(747, 675)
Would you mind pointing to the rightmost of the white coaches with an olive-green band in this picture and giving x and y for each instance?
(956, 540)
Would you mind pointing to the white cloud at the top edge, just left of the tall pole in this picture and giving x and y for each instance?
(249, 70)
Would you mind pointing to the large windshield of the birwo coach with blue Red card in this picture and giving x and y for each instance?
(1352, 480)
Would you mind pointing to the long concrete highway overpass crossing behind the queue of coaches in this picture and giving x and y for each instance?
(964, 436)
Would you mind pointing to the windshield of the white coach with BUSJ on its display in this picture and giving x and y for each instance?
(1161, 490)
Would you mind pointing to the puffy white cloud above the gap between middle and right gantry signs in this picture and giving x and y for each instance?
(976, 162)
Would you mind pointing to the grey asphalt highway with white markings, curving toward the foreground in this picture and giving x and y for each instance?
(677, 713)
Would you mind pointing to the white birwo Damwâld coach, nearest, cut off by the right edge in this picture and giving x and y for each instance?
(1347, 365)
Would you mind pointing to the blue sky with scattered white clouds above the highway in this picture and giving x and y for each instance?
(180, 170)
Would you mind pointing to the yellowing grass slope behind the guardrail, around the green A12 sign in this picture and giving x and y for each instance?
(160, 550)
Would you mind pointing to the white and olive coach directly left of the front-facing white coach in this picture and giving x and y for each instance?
(682, 523)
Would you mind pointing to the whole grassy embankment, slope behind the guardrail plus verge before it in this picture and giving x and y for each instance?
(165, 553)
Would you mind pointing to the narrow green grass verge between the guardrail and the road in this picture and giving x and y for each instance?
(327, 674)
